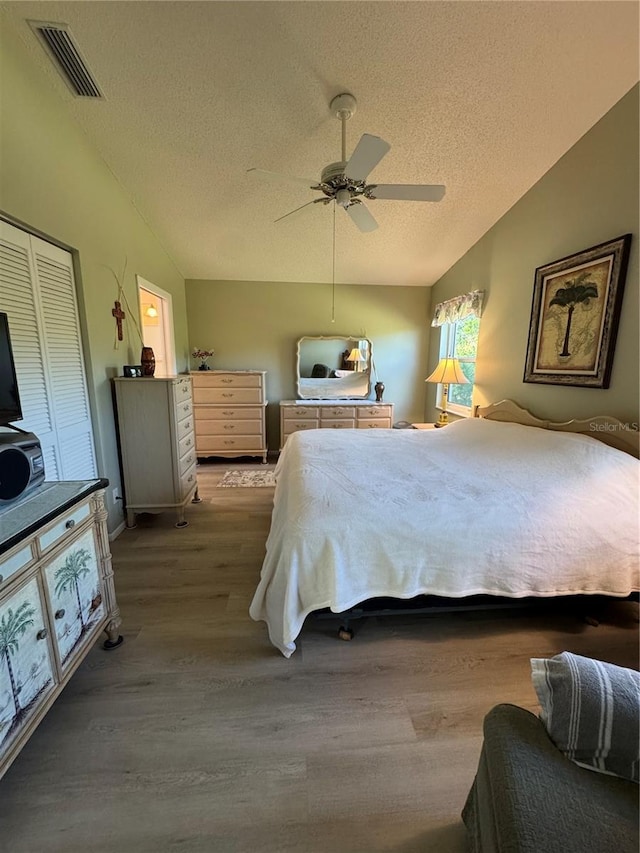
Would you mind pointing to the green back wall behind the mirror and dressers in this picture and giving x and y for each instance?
(257, 325)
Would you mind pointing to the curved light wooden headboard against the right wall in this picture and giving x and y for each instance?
(609, 430)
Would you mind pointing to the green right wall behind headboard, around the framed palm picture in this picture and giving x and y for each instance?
(589, 196)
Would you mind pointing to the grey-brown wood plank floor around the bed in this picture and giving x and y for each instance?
(197, 735)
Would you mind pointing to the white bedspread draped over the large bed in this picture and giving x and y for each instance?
(477, 508)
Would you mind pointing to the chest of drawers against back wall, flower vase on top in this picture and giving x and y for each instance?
(229, 410)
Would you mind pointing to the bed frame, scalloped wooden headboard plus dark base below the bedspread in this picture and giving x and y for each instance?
(610, 430)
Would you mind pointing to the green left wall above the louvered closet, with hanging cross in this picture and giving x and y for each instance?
(54, 182)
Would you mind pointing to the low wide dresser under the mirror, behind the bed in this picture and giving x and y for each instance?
(296, 415)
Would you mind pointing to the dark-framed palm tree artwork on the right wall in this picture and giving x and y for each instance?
(574, 316)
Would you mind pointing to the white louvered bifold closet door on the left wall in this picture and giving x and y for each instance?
(37, 290)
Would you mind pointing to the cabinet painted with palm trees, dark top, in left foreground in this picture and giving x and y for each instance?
(56, 598)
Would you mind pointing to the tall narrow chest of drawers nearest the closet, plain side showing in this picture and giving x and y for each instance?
(157, 444)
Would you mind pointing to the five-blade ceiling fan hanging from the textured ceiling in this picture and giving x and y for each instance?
(345, 182)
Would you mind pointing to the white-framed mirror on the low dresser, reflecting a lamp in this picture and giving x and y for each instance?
(326, 371)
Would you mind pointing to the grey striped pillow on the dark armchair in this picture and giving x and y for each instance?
(591, 711)
